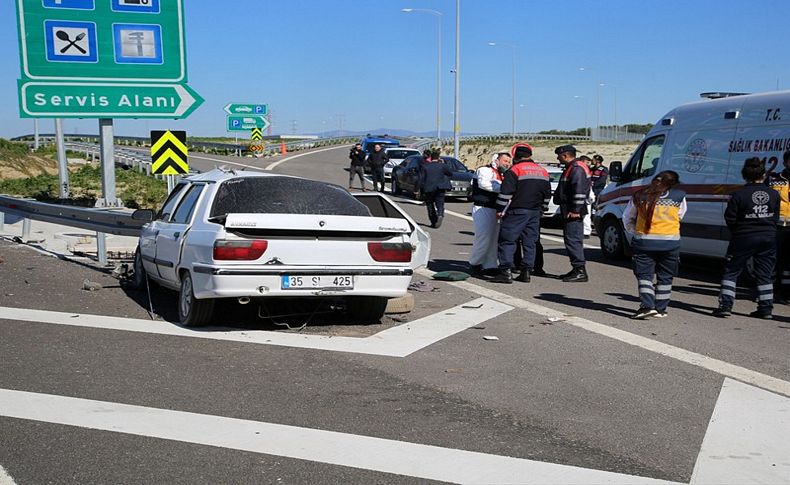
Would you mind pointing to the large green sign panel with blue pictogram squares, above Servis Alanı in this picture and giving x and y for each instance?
(102, 40)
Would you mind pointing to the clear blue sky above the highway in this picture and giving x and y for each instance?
(364, 65)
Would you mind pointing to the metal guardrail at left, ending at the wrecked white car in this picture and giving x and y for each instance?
(108, 221)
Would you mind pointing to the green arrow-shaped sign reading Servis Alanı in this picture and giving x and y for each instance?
(106, 100)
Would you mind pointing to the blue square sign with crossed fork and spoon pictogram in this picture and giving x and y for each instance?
(69, 41)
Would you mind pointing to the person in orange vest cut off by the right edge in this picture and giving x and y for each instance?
(780, 182)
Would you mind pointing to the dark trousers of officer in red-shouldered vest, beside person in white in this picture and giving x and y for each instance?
(519, 226)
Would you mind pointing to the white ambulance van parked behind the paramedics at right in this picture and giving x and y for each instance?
(706, 143)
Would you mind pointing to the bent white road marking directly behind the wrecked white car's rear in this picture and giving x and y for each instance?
(399, 341)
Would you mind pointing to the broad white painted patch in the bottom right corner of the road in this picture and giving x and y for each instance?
(748, 438)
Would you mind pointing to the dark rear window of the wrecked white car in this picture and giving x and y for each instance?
(284, 195)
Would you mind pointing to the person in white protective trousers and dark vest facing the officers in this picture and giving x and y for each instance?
(485, 189)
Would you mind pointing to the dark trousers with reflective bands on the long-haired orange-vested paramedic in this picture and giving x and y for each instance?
(664, 266)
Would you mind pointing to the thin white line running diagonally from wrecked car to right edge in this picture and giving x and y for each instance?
(718, 366)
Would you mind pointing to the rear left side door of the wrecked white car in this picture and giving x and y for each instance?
(170, 238)
